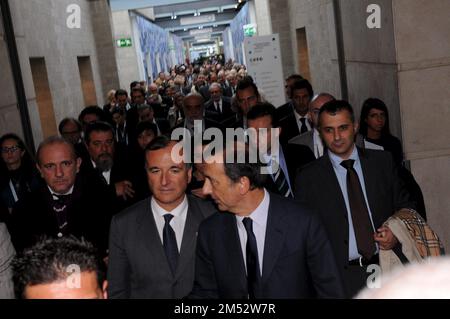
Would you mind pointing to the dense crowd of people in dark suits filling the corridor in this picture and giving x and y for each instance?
(307, 228)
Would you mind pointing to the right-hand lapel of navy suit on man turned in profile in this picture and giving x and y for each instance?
(274, 239)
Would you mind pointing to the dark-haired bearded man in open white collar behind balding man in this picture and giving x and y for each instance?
(107, 164)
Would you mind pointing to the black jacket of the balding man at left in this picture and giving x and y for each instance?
(87, 216)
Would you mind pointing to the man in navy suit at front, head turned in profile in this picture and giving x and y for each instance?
(260, 245)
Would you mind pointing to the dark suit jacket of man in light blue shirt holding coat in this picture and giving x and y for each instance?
(318, 186)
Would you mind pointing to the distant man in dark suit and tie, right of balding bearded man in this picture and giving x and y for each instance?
(219, 107)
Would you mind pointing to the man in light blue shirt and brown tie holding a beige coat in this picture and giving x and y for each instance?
(354, 192)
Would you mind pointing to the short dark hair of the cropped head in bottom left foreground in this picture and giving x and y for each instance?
(48, 261)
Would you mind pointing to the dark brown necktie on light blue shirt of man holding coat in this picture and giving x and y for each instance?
(360, 214)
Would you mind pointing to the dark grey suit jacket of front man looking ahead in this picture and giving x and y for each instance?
(138, 266)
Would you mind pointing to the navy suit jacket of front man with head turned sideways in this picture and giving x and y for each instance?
(298, 260)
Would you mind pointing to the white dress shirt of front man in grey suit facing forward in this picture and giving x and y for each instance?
(177, 222)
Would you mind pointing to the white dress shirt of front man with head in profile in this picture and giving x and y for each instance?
(259, 218)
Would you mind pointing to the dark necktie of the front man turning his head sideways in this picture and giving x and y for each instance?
(253, 272)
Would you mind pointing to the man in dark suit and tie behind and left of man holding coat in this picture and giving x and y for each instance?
(297, 121)
